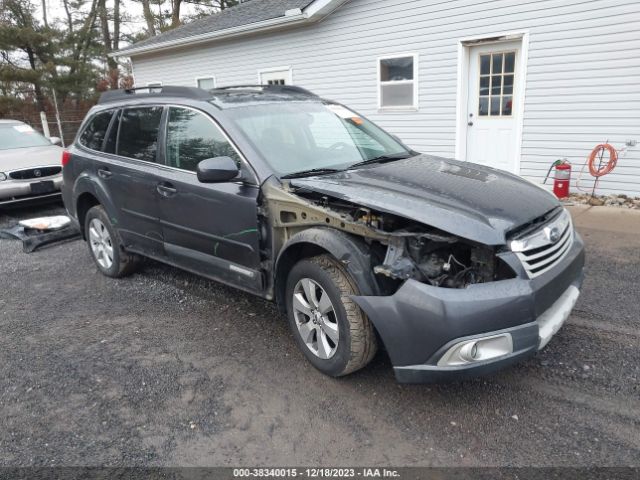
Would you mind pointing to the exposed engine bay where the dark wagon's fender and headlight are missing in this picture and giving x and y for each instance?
(401, 249)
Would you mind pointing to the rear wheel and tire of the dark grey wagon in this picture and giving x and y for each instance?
(105, 245)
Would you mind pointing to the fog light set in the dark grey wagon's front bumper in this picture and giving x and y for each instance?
(477, 350)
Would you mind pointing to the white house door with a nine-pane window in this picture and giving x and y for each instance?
(492, 100)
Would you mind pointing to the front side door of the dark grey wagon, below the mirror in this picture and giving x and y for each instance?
(210, 228)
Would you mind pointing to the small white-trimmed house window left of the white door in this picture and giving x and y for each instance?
(397, 82)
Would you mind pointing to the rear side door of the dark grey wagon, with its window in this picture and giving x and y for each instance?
(131, 175)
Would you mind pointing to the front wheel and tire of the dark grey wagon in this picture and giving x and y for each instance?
(356, 342)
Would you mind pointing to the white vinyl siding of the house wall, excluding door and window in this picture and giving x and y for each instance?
(582, 83)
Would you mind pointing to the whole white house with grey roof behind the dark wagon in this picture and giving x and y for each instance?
(508, 83)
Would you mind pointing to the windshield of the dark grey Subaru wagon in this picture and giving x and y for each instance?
(296, 137)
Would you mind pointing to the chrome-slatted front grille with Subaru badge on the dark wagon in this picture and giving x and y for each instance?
(543, 249)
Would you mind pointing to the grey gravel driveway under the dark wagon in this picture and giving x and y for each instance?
(165, 368)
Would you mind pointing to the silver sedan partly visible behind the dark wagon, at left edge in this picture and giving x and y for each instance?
(30, 164)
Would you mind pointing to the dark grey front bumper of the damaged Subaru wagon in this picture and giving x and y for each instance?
(420, 323)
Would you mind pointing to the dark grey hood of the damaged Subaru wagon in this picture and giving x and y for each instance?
(469, 200)
